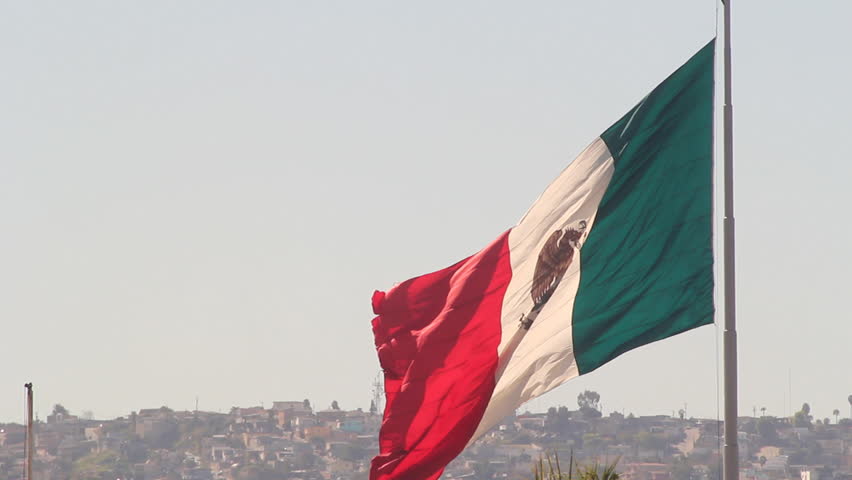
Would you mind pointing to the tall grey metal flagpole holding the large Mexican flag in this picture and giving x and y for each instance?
(731, 451)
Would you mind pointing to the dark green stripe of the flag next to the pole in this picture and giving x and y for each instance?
(647, 266)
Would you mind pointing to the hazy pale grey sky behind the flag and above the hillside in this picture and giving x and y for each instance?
(198, 198)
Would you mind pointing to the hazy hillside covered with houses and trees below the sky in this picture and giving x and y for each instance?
(292, 440)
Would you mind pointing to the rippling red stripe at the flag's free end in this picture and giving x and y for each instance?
(437, 337)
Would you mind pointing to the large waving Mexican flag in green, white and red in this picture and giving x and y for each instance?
(615, 254)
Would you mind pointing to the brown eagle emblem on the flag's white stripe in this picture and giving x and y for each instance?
(553, 261)
